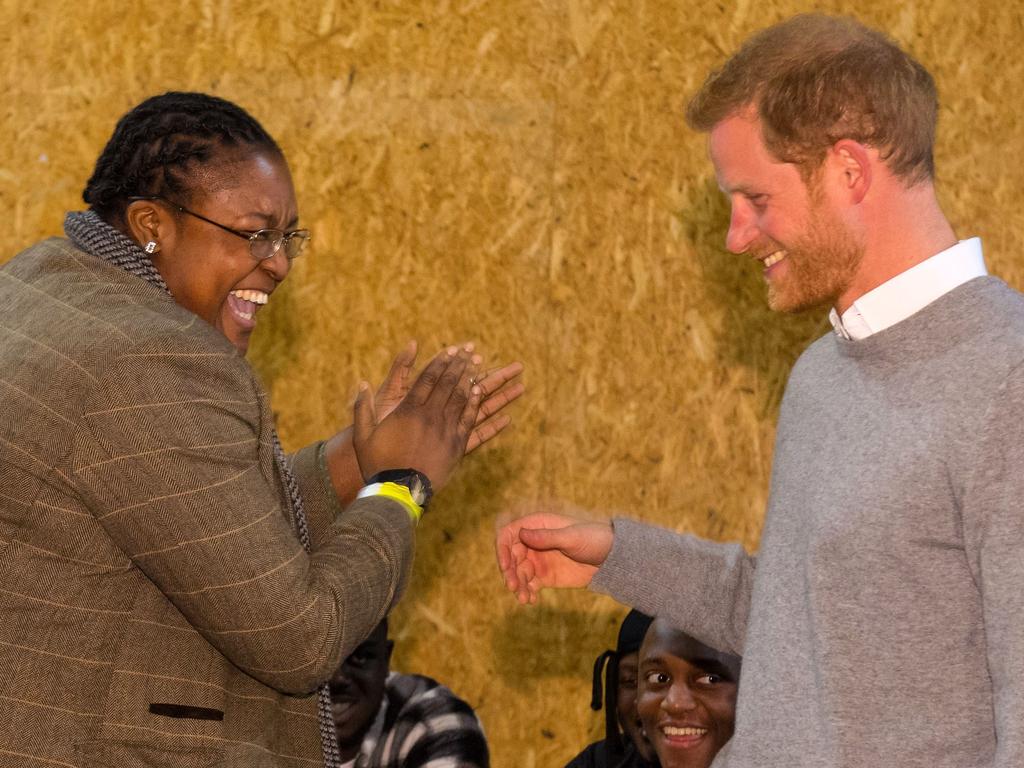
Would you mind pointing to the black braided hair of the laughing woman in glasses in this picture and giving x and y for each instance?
(156, 148)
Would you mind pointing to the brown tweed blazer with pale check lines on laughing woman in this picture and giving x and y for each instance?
(156, 606)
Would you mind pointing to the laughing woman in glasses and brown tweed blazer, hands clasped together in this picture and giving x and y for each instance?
(158, 607)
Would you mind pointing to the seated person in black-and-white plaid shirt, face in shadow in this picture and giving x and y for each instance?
(388, 720)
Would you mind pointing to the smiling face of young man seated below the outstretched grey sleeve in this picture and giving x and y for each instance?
(687, 699)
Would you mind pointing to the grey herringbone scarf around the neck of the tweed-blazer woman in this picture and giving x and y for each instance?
(90, 233)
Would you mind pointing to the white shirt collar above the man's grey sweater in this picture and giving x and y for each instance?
(911, 291)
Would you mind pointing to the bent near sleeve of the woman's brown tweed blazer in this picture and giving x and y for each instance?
(174, 457)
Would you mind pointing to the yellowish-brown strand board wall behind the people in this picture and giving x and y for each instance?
(516, 173)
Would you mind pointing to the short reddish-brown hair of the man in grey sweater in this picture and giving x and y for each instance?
(817, 79)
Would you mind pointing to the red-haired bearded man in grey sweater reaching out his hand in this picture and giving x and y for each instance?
(882, 623)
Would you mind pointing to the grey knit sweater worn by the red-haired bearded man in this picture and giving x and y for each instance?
(883, 622)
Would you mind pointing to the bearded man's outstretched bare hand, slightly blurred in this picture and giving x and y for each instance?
(547, 549)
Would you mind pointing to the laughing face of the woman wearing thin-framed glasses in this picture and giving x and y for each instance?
(211, 272)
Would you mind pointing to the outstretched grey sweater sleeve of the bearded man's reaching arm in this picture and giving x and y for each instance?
(702, 587)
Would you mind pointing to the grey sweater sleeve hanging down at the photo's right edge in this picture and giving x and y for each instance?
(993, 511)
